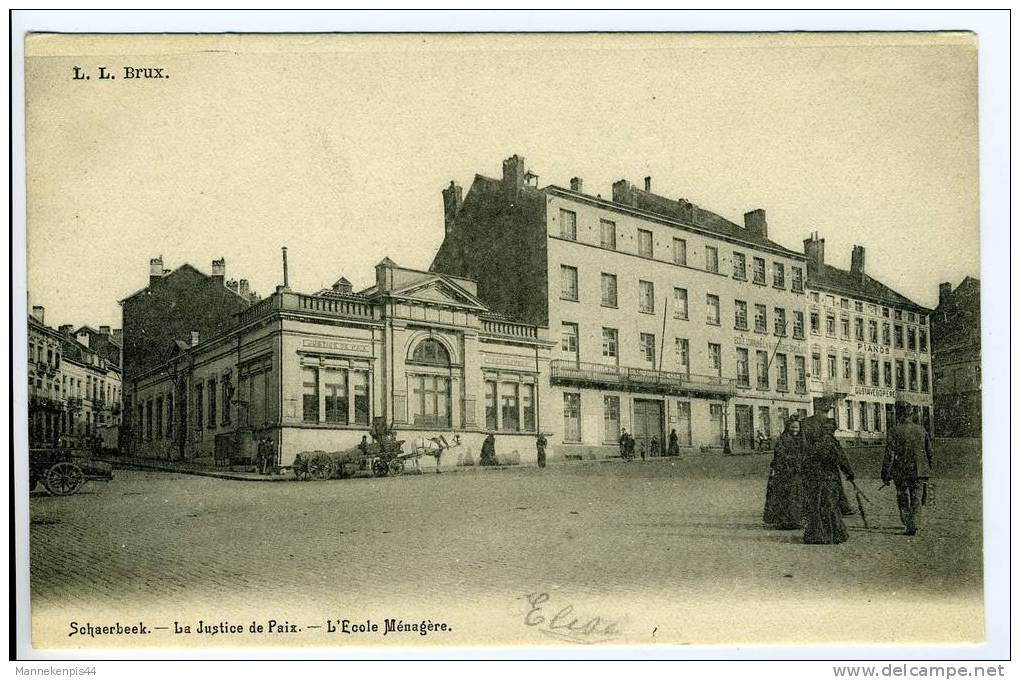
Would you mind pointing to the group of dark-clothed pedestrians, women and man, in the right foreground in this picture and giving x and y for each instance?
(805, 486)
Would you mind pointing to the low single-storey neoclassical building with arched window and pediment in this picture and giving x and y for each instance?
(313, 373)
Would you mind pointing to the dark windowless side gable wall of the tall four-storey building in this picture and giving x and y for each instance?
(502, 245)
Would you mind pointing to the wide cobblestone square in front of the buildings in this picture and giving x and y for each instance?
(667, 532)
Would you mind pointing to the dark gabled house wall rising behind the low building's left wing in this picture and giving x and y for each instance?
(169, 310)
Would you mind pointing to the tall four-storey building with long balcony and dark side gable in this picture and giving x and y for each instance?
(670, 318)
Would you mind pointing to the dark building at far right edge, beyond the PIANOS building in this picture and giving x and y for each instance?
(956, 331)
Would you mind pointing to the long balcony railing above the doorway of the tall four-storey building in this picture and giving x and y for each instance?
(639, 380)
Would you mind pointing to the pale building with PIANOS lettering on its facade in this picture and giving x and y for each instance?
(871, 347)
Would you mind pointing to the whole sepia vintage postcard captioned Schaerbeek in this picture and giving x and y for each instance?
(544, 341)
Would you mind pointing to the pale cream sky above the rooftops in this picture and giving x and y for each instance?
(338, 148)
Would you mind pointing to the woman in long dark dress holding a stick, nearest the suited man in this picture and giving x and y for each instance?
(826, 460)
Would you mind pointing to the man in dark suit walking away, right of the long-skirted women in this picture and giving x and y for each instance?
(908, 464)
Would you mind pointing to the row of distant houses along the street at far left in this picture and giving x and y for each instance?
(74, 388)
